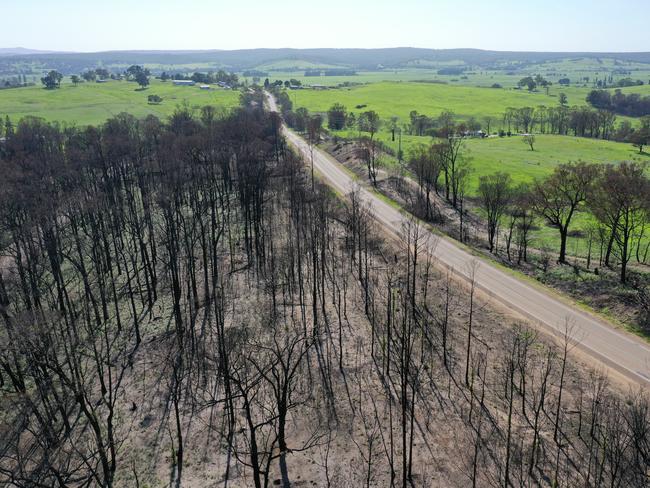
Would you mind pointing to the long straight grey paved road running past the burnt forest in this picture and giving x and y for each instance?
(618, 350)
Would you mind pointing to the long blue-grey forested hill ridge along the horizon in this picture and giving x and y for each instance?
(238, 60)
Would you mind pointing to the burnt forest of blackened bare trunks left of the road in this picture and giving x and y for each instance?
(179, 299)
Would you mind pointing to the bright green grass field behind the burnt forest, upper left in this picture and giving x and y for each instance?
(93, 103)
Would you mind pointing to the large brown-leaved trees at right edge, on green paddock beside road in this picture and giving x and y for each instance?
(618, 196)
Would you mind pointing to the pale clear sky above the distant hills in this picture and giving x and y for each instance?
(550, 25)
